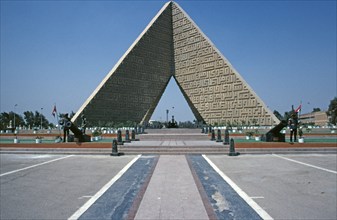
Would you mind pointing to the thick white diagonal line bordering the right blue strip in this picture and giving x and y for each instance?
(261, 212)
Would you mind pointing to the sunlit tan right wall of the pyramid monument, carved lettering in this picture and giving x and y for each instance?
(210, 83)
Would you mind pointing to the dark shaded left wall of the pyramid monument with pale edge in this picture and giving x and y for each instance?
(132, 89)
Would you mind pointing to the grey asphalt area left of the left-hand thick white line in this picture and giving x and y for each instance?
(54, 190)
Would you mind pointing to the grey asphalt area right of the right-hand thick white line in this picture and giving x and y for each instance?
(301, 188)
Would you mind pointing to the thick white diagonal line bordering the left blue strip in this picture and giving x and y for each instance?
(93, 199)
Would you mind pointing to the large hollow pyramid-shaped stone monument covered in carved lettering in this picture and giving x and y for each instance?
(172, 45)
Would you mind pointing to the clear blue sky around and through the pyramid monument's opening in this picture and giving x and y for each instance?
(59, 51)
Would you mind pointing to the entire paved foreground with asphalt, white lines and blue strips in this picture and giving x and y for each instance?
(291, 186)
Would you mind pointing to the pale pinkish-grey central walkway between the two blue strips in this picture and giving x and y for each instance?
(172, 192)
